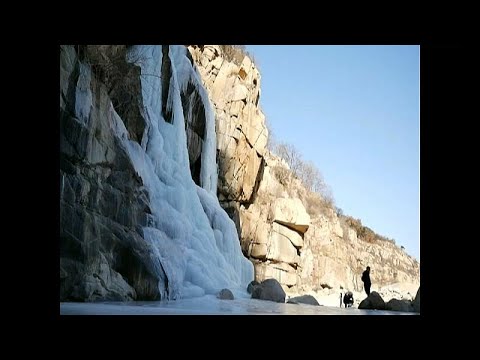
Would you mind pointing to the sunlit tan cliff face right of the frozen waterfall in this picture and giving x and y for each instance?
(284, 229)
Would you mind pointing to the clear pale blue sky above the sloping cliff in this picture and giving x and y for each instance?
(354, 112)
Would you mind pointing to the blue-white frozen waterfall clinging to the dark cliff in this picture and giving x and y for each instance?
(192, 238)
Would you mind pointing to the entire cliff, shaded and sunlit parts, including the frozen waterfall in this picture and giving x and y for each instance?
(144, 131)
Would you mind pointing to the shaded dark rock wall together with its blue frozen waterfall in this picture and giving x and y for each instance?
(139, 216)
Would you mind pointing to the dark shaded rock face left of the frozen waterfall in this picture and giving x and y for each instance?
(103, 203)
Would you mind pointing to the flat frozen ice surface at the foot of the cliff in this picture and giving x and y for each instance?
(210, 305)
